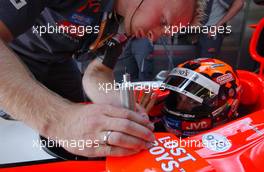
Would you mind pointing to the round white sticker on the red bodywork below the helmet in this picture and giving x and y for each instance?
(216, 142)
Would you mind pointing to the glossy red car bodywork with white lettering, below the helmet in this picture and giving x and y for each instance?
(246, 153)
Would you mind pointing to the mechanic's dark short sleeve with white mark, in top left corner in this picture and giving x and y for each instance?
(20, 15)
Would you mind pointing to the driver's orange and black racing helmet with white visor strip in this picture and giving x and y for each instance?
(203, 94)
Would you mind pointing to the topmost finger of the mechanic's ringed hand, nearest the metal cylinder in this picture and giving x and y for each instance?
(140, 118)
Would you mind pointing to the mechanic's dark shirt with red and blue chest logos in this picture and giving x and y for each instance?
(34, 22)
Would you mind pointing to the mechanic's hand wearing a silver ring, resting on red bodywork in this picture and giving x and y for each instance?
(131, 131)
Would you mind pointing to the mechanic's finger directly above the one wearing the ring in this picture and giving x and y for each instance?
(131, 128)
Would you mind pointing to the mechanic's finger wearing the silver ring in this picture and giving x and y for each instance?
(127, 141)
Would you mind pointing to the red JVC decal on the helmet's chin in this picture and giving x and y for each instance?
(200, 125)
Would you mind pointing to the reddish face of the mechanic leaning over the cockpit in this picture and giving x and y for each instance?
(152, 17)
